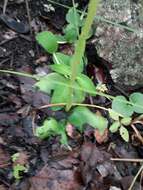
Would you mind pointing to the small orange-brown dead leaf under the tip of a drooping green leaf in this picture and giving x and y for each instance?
(101, 138)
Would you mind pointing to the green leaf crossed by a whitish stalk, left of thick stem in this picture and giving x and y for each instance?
(60, 58)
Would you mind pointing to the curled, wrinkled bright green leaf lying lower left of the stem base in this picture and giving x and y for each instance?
(50, 128)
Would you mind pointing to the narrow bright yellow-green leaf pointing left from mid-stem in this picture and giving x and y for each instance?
(61, 69)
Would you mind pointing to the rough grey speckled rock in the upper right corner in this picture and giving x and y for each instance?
(119, 46)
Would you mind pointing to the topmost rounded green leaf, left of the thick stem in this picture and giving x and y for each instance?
(73, 17)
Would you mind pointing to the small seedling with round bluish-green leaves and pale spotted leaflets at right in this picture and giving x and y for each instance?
(122, 112)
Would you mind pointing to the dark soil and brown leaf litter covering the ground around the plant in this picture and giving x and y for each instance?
(50, 166)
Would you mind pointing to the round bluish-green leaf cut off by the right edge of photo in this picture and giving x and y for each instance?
(137, 98)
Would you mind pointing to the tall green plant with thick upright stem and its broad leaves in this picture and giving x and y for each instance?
(69, 70)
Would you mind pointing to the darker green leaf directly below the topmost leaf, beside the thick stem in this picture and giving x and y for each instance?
(70, 33)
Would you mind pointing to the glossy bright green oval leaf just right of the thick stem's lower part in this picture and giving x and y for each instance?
(85, 83)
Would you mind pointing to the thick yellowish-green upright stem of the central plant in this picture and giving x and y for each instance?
(80, 47)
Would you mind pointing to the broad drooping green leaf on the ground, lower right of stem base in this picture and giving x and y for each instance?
(82, 115)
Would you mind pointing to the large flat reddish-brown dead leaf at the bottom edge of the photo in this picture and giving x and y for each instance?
(60, 175)
